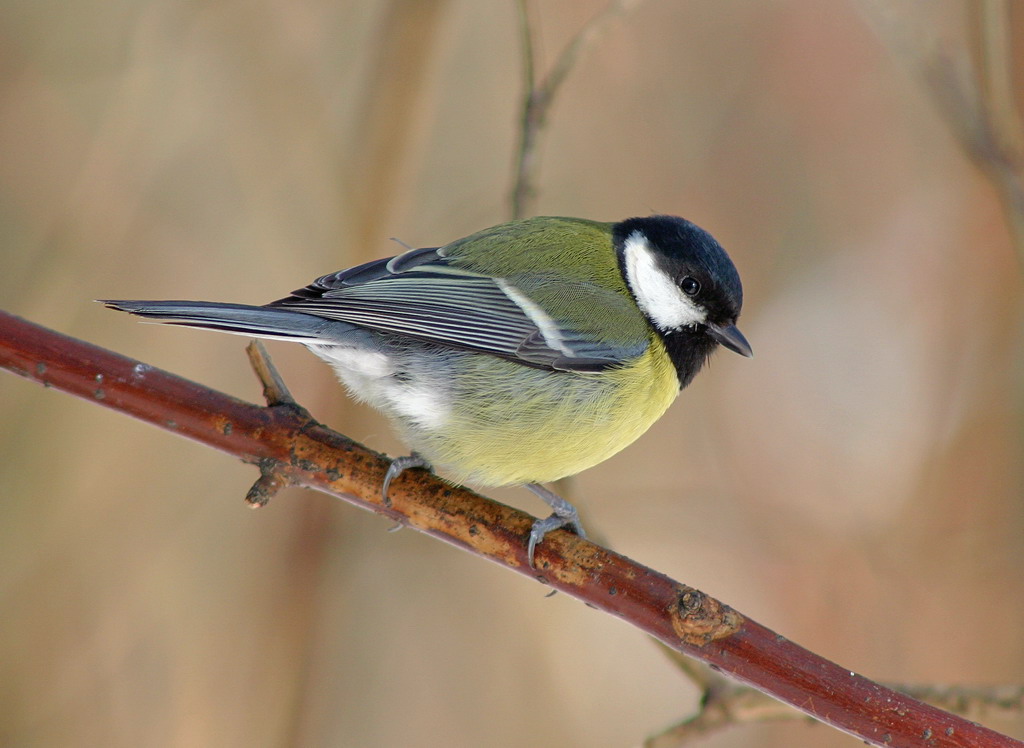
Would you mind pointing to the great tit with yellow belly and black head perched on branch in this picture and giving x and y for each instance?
(519, 355)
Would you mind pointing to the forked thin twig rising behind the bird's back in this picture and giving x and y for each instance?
(539, 97)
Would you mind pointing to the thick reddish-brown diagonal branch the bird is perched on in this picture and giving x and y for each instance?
(291, 447)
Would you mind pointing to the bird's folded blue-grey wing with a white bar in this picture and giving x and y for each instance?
(422, 296)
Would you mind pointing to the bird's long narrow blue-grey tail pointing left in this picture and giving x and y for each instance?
(239, 319)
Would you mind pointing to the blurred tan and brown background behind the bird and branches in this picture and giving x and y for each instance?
(858, 486)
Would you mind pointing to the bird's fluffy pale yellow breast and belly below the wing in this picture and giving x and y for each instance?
(513, 425)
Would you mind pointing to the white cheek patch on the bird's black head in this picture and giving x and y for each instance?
(657, 295)
